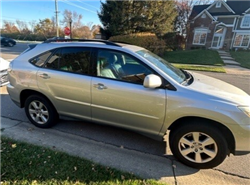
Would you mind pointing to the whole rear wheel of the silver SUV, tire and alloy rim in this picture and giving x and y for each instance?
(40, 111)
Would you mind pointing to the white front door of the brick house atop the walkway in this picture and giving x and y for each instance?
(219, 36)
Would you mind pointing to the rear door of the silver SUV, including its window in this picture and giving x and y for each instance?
(65, 80)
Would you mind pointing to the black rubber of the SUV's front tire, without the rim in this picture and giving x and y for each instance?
(211, 131)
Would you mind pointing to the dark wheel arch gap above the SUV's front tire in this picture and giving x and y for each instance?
(222, 128)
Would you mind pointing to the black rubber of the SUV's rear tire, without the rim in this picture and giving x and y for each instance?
(53, 116)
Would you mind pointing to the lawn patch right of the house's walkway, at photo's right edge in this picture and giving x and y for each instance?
(243, 57)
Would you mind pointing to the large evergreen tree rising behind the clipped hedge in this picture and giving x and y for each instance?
(132, 16)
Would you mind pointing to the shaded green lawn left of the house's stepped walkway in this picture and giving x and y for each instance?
(200, 57)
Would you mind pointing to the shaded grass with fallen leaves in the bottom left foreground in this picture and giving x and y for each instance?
(25, 164)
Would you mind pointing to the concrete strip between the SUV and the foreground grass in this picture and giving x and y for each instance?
(147, 166)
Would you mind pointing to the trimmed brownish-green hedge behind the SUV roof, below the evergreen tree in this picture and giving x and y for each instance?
(146, 40)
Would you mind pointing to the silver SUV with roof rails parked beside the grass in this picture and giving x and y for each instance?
(130, 87)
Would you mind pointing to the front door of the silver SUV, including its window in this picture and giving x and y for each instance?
(119, 97)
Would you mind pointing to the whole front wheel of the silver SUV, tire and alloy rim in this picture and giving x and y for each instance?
(198, 145)
